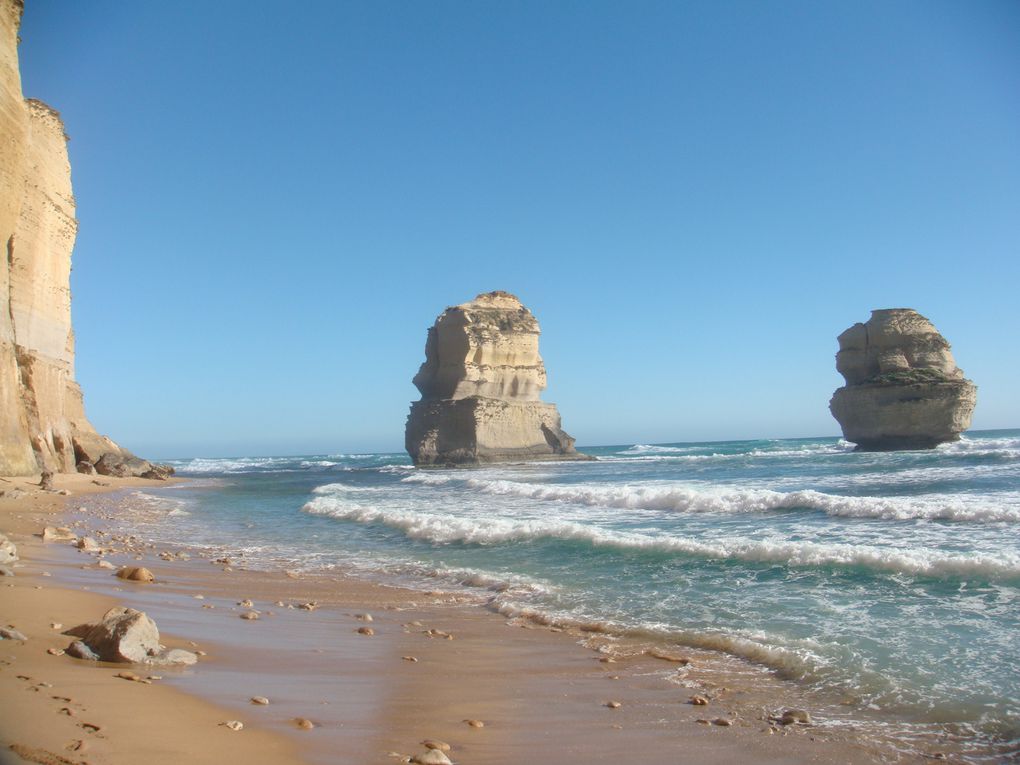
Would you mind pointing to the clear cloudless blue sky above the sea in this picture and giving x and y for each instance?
(694, 198)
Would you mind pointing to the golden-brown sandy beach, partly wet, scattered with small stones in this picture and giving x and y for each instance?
(542, 697)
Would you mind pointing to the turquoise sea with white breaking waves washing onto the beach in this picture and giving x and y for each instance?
(892, 580)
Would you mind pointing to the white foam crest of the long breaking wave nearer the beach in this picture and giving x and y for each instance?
(446, 529)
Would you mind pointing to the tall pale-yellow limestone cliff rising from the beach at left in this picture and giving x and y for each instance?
(42, 417)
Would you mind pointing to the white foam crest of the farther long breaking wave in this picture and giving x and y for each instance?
(677, 498)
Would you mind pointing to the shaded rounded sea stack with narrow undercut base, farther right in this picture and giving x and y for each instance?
(904, 390)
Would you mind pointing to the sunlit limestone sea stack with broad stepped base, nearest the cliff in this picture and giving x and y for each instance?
(480, 387)
